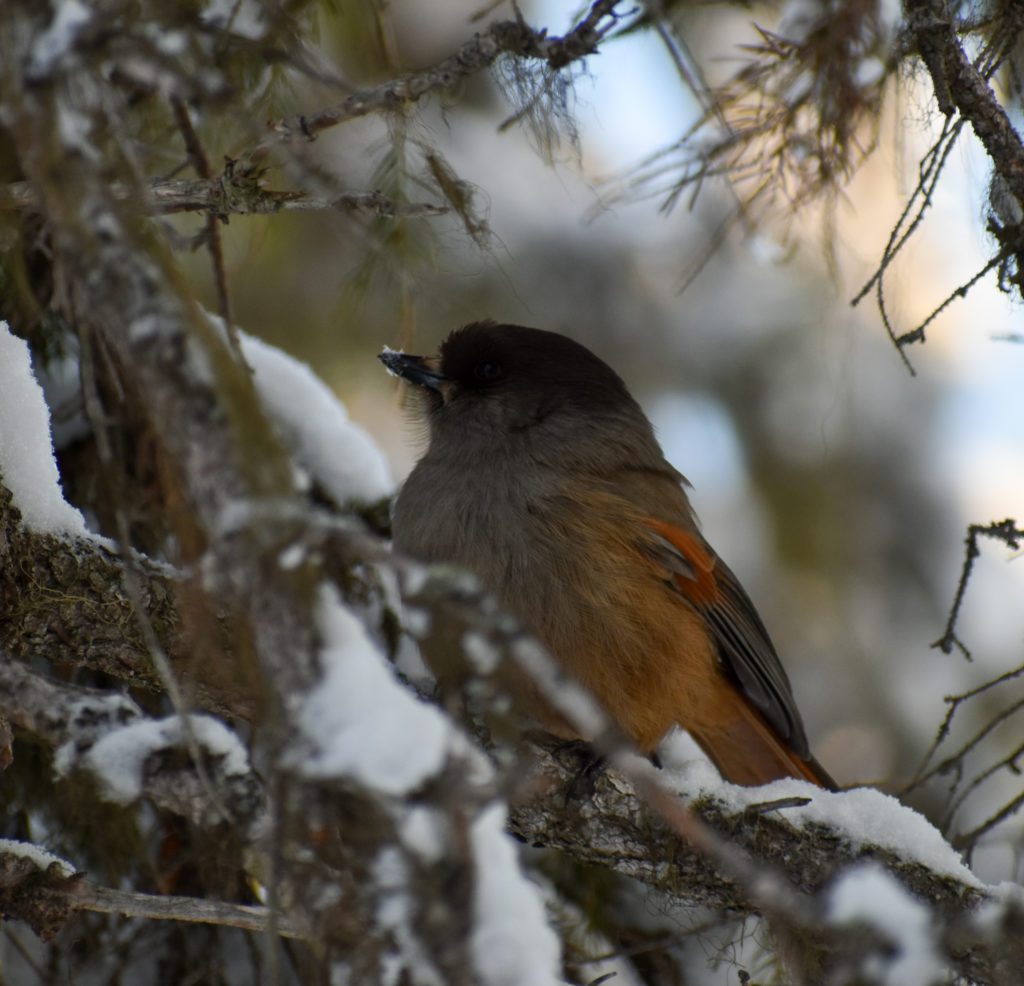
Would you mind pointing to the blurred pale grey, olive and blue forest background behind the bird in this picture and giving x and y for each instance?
(837, 486)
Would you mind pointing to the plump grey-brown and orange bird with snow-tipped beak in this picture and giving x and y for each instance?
(544, 479)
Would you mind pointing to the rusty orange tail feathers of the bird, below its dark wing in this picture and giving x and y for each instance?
(747, 751)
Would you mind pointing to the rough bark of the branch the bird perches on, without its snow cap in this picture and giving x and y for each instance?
(777, 869)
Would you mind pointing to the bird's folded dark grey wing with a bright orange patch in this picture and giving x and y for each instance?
(745, 649)
